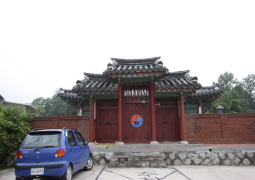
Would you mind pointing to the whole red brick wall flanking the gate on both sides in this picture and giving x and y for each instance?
(200, 128)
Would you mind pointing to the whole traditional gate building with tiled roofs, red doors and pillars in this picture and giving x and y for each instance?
(138, 100)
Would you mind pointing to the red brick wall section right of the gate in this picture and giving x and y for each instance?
(220, 128)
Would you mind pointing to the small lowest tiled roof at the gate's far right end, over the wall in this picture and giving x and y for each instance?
(208, 91)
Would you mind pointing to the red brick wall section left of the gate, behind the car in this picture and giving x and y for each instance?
(81, 123)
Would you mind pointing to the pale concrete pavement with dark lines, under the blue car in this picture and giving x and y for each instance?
(101, 172)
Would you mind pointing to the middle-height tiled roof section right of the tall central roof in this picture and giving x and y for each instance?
(177, 80)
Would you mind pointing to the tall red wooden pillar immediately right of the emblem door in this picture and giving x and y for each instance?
(153, 115)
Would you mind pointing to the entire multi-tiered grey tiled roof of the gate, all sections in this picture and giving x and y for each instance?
(101, 84)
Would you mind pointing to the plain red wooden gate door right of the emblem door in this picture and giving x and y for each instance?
(167, 124)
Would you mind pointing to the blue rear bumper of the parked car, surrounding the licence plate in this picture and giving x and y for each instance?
(52, 169)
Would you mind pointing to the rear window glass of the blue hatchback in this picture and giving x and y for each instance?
(42, 140)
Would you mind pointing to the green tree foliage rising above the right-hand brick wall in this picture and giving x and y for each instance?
(238, 96)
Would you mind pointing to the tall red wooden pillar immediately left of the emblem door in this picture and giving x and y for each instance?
(120, 114)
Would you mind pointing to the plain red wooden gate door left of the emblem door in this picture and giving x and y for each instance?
(107, 126)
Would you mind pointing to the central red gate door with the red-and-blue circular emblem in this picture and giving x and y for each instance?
(137, 125)
